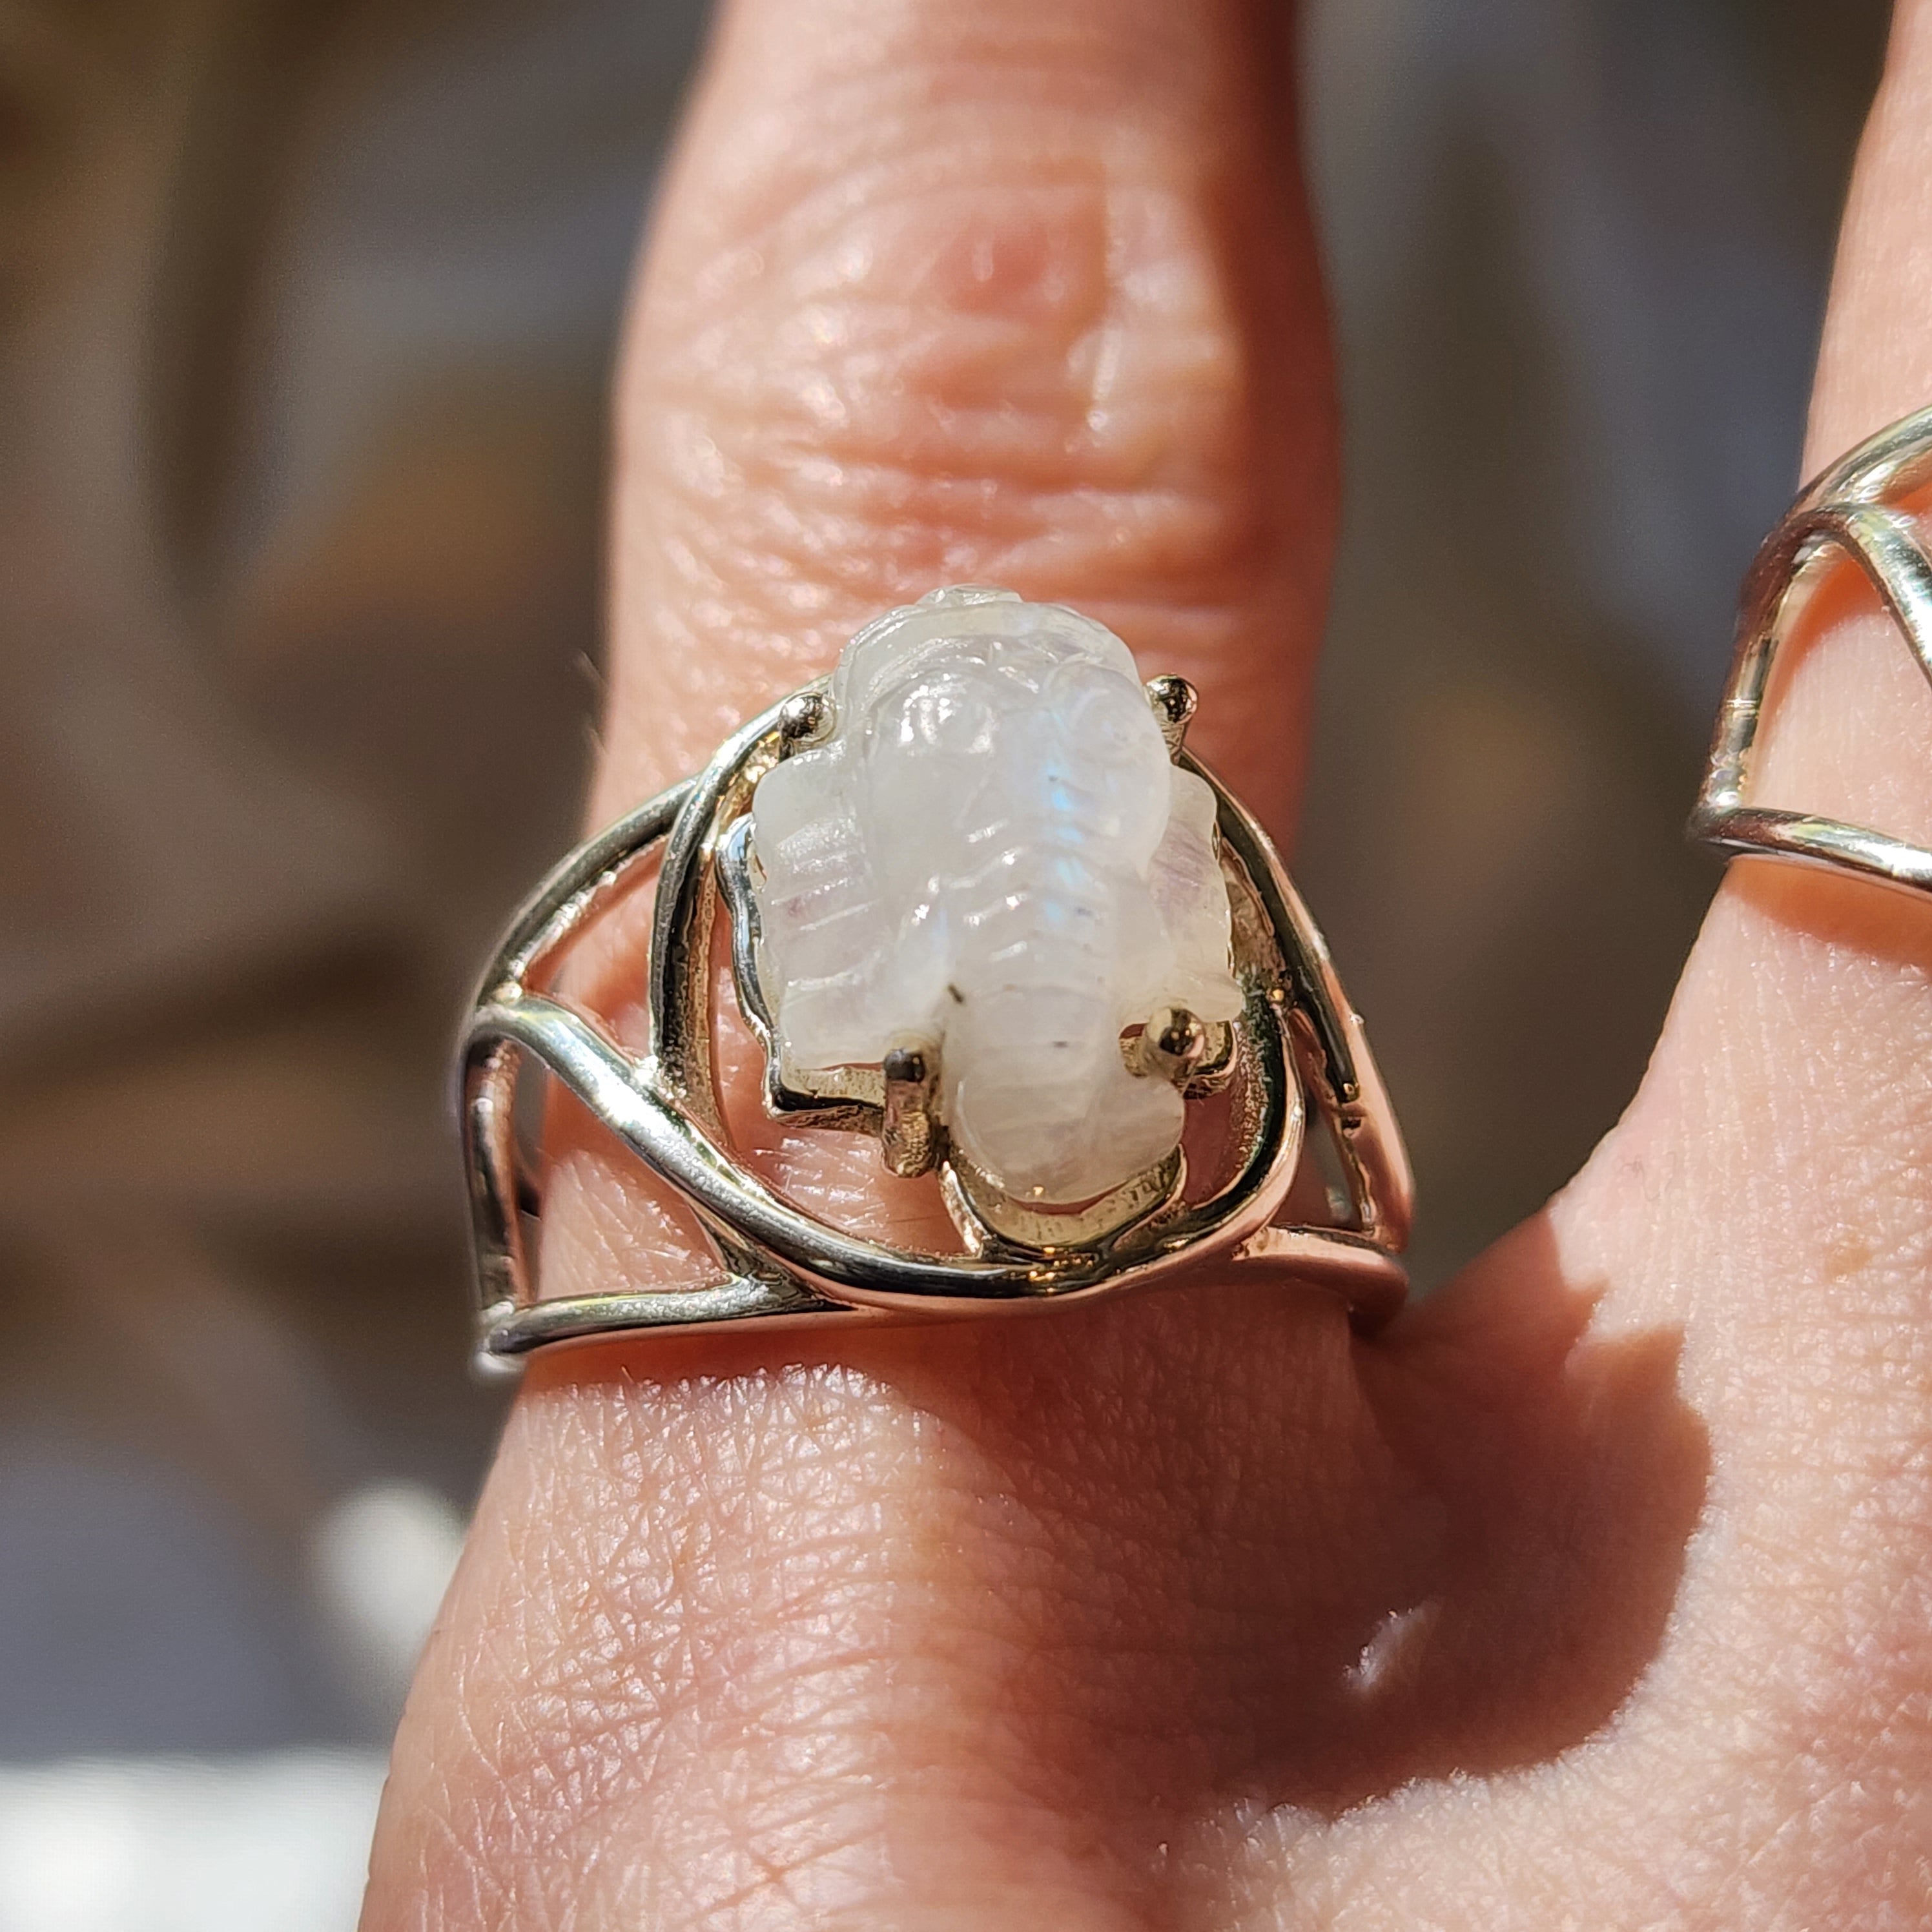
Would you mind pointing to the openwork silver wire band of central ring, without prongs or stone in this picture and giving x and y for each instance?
(778, 1263)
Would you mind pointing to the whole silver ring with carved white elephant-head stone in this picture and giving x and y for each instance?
(986, 909)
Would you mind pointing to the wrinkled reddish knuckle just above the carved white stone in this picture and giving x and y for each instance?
(924, 364)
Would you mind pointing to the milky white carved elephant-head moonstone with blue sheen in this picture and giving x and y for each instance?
(992, 855)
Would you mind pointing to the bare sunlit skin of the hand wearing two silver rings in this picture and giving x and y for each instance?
(1599, 1591)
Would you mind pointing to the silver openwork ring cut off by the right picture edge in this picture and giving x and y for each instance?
(1846, 513)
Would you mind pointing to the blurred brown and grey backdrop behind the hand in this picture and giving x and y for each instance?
(306, 322)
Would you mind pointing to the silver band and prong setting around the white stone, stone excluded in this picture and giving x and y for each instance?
(1293, 1056)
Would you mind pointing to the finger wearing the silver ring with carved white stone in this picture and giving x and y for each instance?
(926, 1626)
